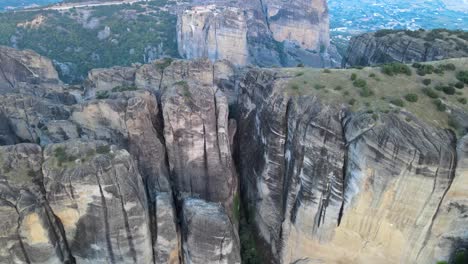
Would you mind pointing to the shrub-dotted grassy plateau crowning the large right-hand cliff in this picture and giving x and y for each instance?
(394, 87)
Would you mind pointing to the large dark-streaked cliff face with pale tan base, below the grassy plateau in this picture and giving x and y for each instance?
(327, 185)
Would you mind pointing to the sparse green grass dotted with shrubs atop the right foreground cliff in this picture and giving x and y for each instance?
(366, 93)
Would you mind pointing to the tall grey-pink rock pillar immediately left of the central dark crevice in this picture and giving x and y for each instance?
(196, 132)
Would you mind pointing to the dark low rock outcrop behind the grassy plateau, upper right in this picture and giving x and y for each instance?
(404, 46)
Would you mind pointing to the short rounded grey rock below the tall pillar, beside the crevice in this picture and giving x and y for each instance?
(209, 235)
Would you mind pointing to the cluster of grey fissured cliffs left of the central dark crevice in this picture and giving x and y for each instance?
(103, 181)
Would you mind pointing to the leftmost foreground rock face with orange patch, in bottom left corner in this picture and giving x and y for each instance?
(30, 233)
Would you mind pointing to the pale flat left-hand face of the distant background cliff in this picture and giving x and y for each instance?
(217, 34)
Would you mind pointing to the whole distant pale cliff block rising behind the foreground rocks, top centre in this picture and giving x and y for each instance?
(264, 33)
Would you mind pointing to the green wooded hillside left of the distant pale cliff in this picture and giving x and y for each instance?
(78, 40)
